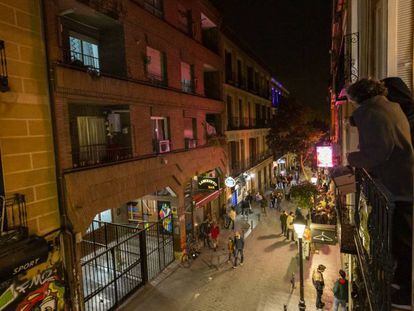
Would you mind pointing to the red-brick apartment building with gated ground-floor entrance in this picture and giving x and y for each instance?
(137, 88)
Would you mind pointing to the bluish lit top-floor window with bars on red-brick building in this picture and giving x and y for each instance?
(83, 50)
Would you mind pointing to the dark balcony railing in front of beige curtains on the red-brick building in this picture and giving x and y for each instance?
(90, 155)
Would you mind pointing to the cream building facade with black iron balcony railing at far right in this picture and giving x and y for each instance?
(369, 39)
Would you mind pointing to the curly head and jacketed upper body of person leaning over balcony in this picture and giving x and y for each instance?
(385, 148)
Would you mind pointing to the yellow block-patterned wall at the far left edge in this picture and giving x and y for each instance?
(26, 143)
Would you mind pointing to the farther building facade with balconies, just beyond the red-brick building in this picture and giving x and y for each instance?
(251, 96)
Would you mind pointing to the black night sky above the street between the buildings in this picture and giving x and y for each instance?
(292, 37)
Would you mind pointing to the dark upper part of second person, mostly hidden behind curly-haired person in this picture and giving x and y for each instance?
(398, 92)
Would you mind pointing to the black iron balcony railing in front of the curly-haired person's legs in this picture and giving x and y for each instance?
(373, 239)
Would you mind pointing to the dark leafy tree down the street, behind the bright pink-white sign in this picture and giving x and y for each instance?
(294, 131)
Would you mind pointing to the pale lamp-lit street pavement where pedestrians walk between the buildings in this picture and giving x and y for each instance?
(262, 283)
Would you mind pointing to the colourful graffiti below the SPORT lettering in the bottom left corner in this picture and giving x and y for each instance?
(39, 289)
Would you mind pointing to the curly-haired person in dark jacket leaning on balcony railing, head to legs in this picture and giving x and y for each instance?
(386, 152)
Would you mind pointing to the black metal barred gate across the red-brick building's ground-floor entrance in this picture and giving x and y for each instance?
(118, 259)
